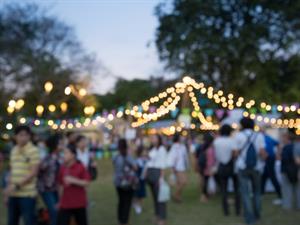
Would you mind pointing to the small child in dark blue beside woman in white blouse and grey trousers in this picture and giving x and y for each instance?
(140, 193)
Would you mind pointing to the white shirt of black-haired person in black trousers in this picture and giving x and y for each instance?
(224, 147)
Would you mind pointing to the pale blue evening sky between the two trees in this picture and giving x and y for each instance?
(120, 32)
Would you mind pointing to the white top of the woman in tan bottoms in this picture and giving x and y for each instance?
(178, 157)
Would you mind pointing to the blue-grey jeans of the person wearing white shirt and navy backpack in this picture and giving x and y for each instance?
(249, 181)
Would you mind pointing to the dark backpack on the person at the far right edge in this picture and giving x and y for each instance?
(289, 164)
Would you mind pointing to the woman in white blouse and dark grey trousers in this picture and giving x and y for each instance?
(155, 173)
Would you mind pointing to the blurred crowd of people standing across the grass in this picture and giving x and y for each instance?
(240, 162)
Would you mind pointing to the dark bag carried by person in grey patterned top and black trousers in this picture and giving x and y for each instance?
(128, 178)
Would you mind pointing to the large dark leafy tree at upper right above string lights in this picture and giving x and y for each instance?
(249, 47)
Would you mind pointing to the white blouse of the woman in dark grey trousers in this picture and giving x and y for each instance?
(158, 158)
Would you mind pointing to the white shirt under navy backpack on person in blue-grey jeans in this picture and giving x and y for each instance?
(241, 140)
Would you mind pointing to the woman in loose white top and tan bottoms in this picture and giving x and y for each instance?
(178, 160)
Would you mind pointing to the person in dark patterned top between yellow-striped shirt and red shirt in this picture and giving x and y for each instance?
(47, 176)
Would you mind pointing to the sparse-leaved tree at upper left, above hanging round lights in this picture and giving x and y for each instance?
(36, 47)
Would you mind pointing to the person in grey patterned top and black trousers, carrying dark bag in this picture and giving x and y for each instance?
(125, 181)
